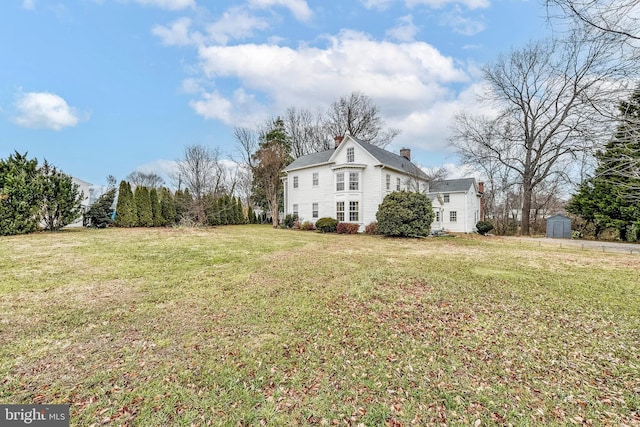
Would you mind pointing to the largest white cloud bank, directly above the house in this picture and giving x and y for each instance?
(415, 86)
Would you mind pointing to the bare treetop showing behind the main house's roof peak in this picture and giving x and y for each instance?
(357, 115)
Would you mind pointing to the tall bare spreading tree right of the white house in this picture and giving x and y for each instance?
(549, 96)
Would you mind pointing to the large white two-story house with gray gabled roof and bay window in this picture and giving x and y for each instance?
(350, 181)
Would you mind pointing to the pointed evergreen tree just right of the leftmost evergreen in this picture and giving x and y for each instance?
(61, 202)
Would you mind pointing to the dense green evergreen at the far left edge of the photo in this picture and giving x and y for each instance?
(20, 194)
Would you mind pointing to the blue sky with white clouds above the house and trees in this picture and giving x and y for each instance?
(108, 87)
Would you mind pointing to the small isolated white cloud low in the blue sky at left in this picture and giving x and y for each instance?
(44, 110)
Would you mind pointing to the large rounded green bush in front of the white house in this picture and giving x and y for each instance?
(405, 214)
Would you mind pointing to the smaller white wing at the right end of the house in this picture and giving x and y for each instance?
(457, 204)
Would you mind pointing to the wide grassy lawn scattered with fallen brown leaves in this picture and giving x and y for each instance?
(247, 325)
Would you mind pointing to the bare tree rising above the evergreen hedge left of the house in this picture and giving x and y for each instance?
(202, 173)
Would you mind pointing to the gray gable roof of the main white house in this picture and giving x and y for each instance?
(384, 157)
